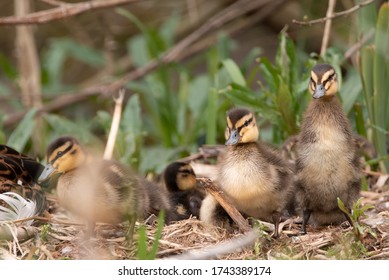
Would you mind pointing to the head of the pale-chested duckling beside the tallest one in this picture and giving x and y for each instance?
(241, 127)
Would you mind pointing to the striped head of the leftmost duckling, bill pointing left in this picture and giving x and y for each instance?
(63, 154)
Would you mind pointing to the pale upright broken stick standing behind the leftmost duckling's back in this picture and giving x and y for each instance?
(115, 125)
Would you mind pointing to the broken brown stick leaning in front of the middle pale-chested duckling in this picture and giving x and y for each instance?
(225, 203)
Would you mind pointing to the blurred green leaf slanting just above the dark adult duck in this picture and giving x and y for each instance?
(23, 131)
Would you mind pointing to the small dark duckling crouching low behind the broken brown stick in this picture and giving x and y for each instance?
(181, 183)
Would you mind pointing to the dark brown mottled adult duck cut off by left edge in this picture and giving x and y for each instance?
(18, 174)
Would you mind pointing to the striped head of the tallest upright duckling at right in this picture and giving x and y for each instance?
(323, 81)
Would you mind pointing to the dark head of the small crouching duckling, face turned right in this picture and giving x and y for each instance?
(179, 176)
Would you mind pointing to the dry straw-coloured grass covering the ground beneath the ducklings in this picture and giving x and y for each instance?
(66, 239)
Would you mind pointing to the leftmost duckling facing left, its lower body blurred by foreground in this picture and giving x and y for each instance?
(100, 190)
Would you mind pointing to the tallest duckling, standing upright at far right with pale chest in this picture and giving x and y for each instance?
(327, 164)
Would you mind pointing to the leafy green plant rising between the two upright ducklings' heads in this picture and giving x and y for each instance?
(281, 98)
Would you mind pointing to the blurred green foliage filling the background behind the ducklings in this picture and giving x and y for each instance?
(180, 106)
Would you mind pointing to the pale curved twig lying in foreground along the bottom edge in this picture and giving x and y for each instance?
(223, 248)
